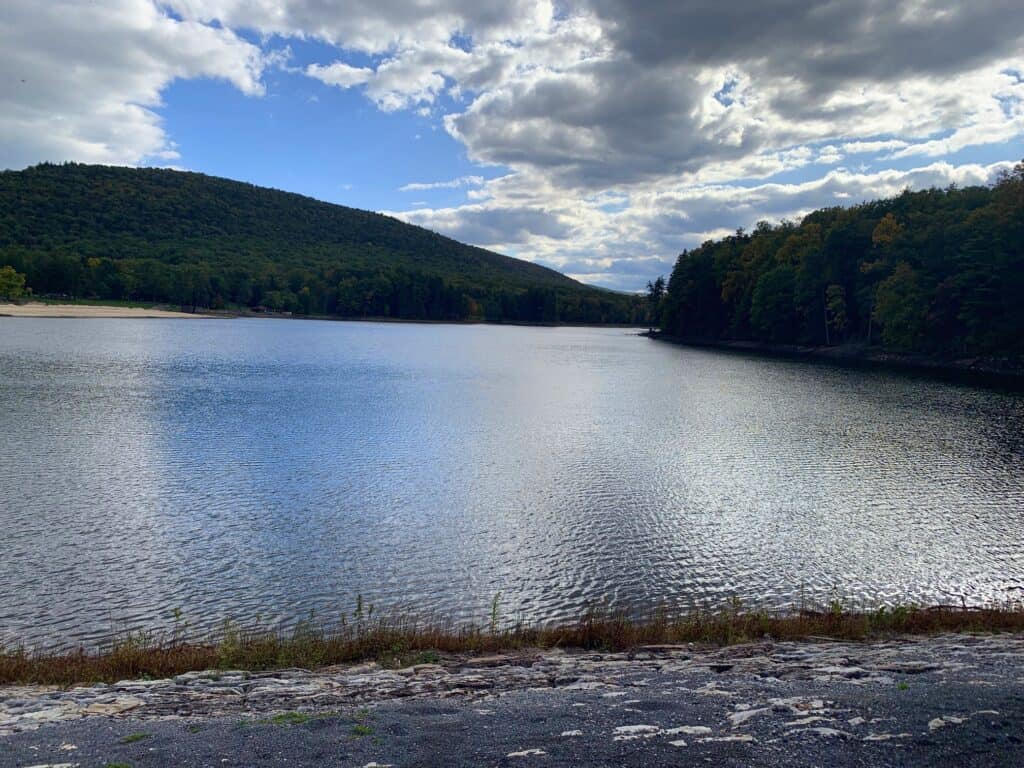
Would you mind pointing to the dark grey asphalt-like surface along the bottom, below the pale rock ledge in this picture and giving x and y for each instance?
(919, 720)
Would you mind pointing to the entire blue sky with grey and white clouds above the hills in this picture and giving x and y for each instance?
(598, 137)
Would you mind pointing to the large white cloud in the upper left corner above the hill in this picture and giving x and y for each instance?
(81, 81)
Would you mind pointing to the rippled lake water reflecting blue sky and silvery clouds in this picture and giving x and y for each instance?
(235, 468)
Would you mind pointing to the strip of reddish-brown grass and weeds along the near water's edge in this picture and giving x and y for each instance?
(396, 642)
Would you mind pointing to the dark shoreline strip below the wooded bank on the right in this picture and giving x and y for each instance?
(970, 370)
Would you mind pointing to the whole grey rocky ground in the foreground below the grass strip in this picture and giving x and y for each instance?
(949, 701)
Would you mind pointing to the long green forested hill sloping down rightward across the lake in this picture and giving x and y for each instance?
(196, 241)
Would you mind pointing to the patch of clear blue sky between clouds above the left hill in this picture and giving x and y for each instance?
(314, 139)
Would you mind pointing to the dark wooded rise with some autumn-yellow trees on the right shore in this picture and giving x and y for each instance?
(937, 273)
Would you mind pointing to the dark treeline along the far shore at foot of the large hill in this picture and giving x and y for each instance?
(382, 293)
